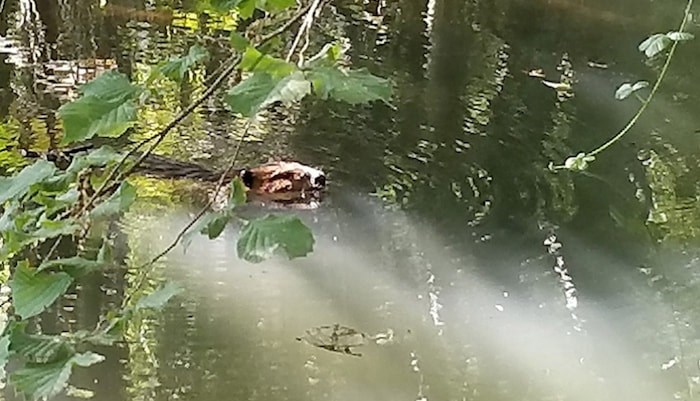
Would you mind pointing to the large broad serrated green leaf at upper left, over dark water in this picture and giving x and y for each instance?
(106, 108)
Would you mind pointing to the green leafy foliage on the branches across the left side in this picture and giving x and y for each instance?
(52, 230)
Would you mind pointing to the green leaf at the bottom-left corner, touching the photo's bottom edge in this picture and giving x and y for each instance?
(37, 381)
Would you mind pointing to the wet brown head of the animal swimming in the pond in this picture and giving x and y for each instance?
(284, 181)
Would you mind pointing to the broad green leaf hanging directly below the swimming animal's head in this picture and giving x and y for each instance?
(263, 237)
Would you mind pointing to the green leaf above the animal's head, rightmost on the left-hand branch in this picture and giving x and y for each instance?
(354, 87)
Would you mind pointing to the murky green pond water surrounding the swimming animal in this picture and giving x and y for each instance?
(443, 229)
